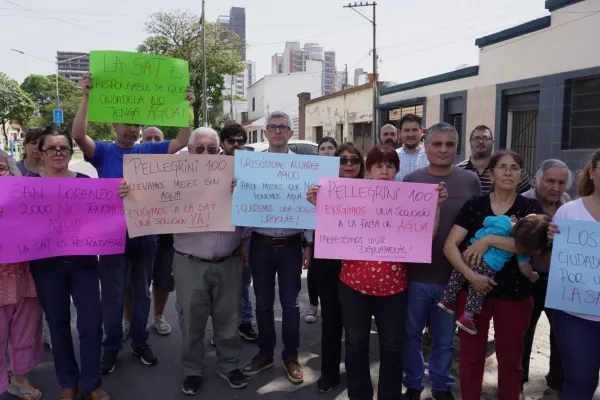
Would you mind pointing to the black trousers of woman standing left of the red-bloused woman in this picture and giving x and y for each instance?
(325, 276)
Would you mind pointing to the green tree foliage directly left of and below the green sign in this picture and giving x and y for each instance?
(42, 90)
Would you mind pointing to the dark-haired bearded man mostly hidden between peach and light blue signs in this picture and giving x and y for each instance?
(233, 138)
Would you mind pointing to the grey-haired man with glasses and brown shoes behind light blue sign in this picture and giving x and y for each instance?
(277, 252)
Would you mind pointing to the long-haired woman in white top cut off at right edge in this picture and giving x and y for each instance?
(578, 335)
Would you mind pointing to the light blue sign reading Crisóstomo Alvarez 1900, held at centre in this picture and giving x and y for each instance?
(271, 188)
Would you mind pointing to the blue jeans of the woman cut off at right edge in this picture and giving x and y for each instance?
(579, 346)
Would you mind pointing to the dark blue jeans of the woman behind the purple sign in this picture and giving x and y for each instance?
(56, 281)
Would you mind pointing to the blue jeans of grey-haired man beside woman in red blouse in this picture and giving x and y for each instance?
(422, 305)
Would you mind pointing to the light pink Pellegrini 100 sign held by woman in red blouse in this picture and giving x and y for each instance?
(375, 220)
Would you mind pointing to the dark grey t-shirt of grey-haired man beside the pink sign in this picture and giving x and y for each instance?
(462, 185)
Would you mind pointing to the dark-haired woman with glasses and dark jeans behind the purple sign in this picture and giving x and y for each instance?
(58, 279)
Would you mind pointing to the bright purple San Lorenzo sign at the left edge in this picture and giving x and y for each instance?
(49, 217)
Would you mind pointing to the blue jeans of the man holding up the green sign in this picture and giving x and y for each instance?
(139, 256)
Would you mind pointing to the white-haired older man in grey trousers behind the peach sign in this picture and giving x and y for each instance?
(208, 280)
